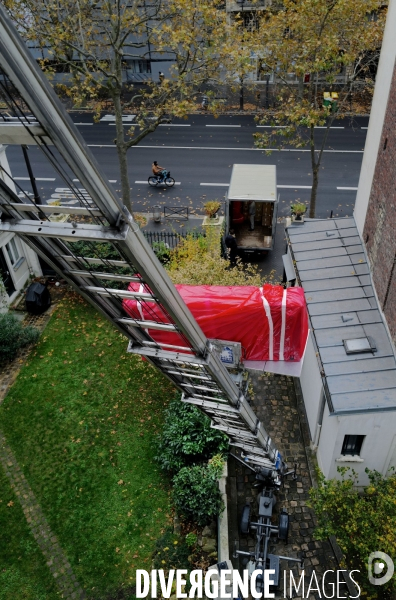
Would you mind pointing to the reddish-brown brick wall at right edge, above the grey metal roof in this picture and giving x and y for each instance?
(379, 232)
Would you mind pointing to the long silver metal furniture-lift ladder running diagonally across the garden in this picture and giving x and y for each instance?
(124, 233)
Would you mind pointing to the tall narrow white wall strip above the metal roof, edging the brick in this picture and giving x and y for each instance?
(380, 99)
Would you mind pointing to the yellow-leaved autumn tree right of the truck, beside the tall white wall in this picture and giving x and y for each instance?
(314, 41)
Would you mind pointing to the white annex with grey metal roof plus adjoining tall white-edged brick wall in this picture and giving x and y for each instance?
(347, 268)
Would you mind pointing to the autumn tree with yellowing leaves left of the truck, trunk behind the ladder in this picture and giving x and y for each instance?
(96, 39)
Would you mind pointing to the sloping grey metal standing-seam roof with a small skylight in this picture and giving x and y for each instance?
(332, 268)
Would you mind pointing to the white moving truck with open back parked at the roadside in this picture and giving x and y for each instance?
(255, 183)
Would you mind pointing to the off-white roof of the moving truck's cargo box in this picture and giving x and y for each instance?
(253, 182)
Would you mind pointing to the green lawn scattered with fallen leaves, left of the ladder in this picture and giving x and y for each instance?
(82, 419)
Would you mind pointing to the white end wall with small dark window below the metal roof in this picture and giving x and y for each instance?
(378, 446)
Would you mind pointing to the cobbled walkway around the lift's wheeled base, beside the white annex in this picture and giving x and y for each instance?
(276, 405)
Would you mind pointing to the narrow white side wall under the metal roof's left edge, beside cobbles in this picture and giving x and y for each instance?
(311, 385)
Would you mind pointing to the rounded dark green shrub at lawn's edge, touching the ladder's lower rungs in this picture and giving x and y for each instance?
(187, 437)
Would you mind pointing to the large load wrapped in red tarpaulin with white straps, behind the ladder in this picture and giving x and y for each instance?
(270, 322)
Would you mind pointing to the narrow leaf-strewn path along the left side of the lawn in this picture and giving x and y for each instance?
(48, 543)
